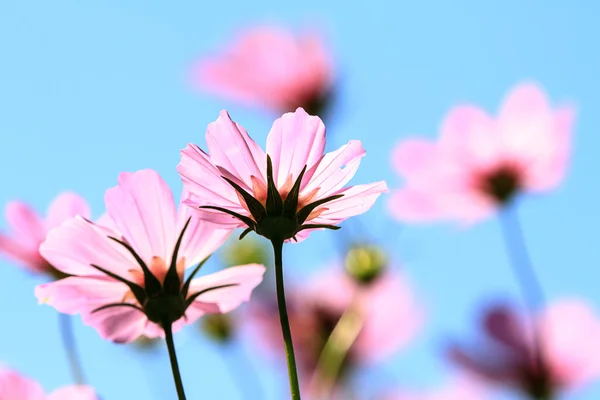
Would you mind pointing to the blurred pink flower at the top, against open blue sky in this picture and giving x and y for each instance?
(272, 68)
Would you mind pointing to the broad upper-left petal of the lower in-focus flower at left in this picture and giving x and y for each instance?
(78, 243)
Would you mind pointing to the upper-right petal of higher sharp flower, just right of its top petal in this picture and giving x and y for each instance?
(330, 175)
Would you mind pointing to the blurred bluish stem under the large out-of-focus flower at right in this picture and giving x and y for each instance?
(524, 272)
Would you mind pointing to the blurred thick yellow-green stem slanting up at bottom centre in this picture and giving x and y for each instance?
(336, 349)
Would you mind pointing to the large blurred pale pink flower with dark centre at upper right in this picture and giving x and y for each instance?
(482, 162)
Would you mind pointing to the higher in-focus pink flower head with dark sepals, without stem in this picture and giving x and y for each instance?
(281, 194)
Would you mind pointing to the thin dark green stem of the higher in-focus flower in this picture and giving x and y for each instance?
(284, 320)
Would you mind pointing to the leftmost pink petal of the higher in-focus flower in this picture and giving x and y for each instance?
(202, 179)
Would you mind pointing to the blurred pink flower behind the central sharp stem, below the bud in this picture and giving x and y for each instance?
(392, 317)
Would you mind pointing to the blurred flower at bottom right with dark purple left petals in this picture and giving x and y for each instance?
(567, 334)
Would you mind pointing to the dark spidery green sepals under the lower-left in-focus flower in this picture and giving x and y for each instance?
(162, 302)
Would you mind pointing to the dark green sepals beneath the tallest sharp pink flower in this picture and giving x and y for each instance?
(279, 218)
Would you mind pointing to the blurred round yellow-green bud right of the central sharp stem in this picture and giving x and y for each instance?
(365, 263)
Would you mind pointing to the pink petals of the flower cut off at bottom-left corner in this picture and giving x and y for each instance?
(14, 386)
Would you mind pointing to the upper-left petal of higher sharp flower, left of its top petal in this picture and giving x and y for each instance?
(232, 149)
